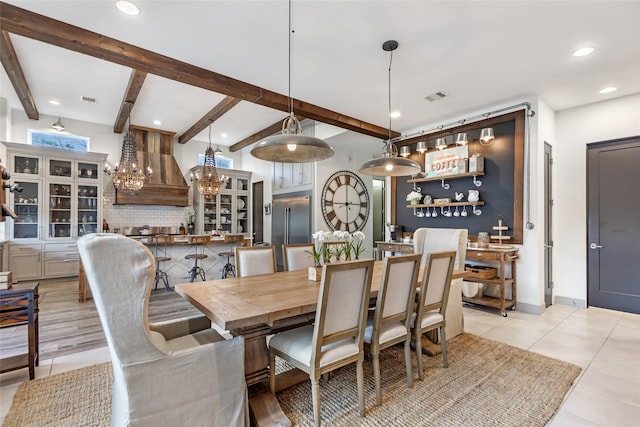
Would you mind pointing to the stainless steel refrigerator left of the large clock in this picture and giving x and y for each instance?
(291, 221)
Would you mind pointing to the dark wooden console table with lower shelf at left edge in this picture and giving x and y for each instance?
(19, 306)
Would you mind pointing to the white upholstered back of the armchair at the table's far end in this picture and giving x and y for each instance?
(427, 240)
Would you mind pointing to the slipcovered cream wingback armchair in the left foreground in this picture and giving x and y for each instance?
(172, 373)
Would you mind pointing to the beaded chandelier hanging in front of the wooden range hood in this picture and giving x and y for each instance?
(127, 176)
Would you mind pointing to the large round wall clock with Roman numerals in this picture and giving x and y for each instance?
(345, 202)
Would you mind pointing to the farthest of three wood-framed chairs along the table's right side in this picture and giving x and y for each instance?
(432, 303)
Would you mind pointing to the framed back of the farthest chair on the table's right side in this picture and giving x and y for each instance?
(436, 281)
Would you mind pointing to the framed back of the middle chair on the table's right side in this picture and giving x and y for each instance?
(396, 296)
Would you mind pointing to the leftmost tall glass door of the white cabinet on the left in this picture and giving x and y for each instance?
(26, 205)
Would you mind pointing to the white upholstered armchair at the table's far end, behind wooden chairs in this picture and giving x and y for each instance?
(427, 240)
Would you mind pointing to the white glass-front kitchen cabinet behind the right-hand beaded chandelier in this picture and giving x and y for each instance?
(229, 211)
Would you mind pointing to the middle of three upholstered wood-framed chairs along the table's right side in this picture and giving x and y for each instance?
(389, 324)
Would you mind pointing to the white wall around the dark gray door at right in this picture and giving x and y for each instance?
(575, 128)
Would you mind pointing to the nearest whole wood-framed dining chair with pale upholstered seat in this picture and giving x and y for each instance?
(336, 337)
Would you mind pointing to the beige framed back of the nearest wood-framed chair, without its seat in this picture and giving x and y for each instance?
(342, 305)
